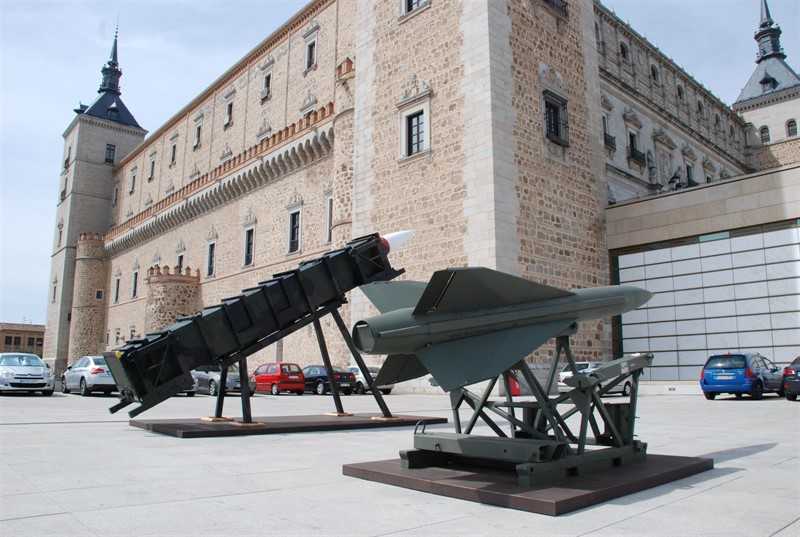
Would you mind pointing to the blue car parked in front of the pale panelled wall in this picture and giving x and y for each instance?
(744, 373)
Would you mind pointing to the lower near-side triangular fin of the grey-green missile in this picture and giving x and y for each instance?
(469, 360)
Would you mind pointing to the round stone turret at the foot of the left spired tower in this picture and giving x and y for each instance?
(89, 297)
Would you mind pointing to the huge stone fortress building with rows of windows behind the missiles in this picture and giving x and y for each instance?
(485, 137)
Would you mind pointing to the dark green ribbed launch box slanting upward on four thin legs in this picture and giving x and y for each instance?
(151, 369)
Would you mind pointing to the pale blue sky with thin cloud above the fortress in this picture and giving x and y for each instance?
(51, 54)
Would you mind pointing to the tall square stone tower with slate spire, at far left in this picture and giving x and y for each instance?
(97, 138)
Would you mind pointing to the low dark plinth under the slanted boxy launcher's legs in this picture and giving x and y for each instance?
(197, 428)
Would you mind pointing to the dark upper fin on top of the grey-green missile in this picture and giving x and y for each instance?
(458, 290)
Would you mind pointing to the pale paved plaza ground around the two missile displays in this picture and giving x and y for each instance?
(70, 468)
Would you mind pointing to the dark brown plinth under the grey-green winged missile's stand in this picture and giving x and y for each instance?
(497, 487)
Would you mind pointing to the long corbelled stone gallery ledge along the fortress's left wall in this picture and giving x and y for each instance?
(213, 190)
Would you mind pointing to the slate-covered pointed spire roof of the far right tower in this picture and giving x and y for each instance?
(772, 73)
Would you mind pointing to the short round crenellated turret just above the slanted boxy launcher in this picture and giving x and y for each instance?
(170, 295)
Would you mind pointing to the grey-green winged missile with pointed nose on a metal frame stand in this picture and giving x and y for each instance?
(471, 324)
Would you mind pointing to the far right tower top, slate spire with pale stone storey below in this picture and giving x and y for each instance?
(771, 98)
